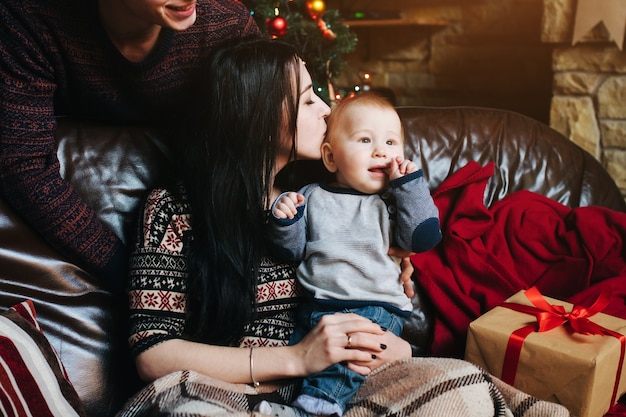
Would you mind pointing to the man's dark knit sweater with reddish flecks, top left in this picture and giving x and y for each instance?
(55, 59)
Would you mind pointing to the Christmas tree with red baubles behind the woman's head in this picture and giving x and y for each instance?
(316, 32)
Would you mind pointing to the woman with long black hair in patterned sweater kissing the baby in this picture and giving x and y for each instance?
(209, 310)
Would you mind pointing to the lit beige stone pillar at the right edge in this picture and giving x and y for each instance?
(589, 88)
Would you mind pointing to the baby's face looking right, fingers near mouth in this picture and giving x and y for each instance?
(363, 146)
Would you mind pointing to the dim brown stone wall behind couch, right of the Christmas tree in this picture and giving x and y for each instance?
(486, 53)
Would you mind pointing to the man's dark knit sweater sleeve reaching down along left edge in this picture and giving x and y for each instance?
(30, 181)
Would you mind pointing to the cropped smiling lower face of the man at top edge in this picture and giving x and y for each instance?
(174, 14)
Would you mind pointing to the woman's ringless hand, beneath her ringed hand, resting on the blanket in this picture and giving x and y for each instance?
(382, 349)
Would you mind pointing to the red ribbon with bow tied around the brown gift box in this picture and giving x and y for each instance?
(550, 316)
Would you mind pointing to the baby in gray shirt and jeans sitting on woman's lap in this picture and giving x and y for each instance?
(341, 233)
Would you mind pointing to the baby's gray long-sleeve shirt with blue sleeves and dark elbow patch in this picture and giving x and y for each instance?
(342, 238)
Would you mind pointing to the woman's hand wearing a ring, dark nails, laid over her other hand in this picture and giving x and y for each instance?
(338, 338)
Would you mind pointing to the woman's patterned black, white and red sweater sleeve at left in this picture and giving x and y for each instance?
(158, 273)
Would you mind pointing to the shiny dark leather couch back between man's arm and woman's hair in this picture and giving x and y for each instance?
(111, 167)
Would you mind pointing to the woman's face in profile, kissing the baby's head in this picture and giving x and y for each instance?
(310, 122)
